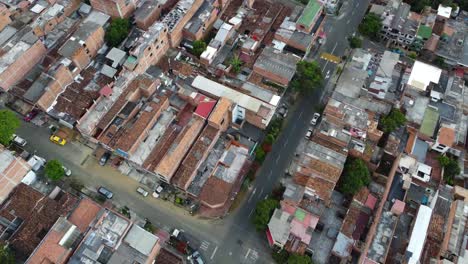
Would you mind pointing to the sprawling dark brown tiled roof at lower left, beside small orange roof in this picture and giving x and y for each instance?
(38, 213)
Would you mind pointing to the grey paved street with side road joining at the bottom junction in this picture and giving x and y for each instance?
(229, 240)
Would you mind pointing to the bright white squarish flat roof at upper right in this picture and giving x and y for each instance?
(422, 74)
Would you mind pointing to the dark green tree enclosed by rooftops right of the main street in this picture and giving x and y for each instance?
(355, 176)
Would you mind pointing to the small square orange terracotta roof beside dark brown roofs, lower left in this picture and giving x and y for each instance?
(84, 214)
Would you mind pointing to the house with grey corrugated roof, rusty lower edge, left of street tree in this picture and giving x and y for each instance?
(276, 66)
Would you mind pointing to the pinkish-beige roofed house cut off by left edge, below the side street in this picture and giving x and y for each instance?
(13, 171)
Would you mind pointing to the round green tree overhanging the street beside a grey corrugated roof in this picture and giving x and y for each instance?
(307, 78)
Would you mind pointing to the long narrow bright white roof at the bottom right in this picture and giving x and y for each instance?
(418, 236)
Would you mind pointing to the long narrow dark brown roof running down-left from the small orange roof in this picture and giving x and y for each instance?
(197, 154)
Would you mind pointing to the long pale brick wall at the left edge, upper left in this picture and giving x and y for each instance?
(18, 69)
